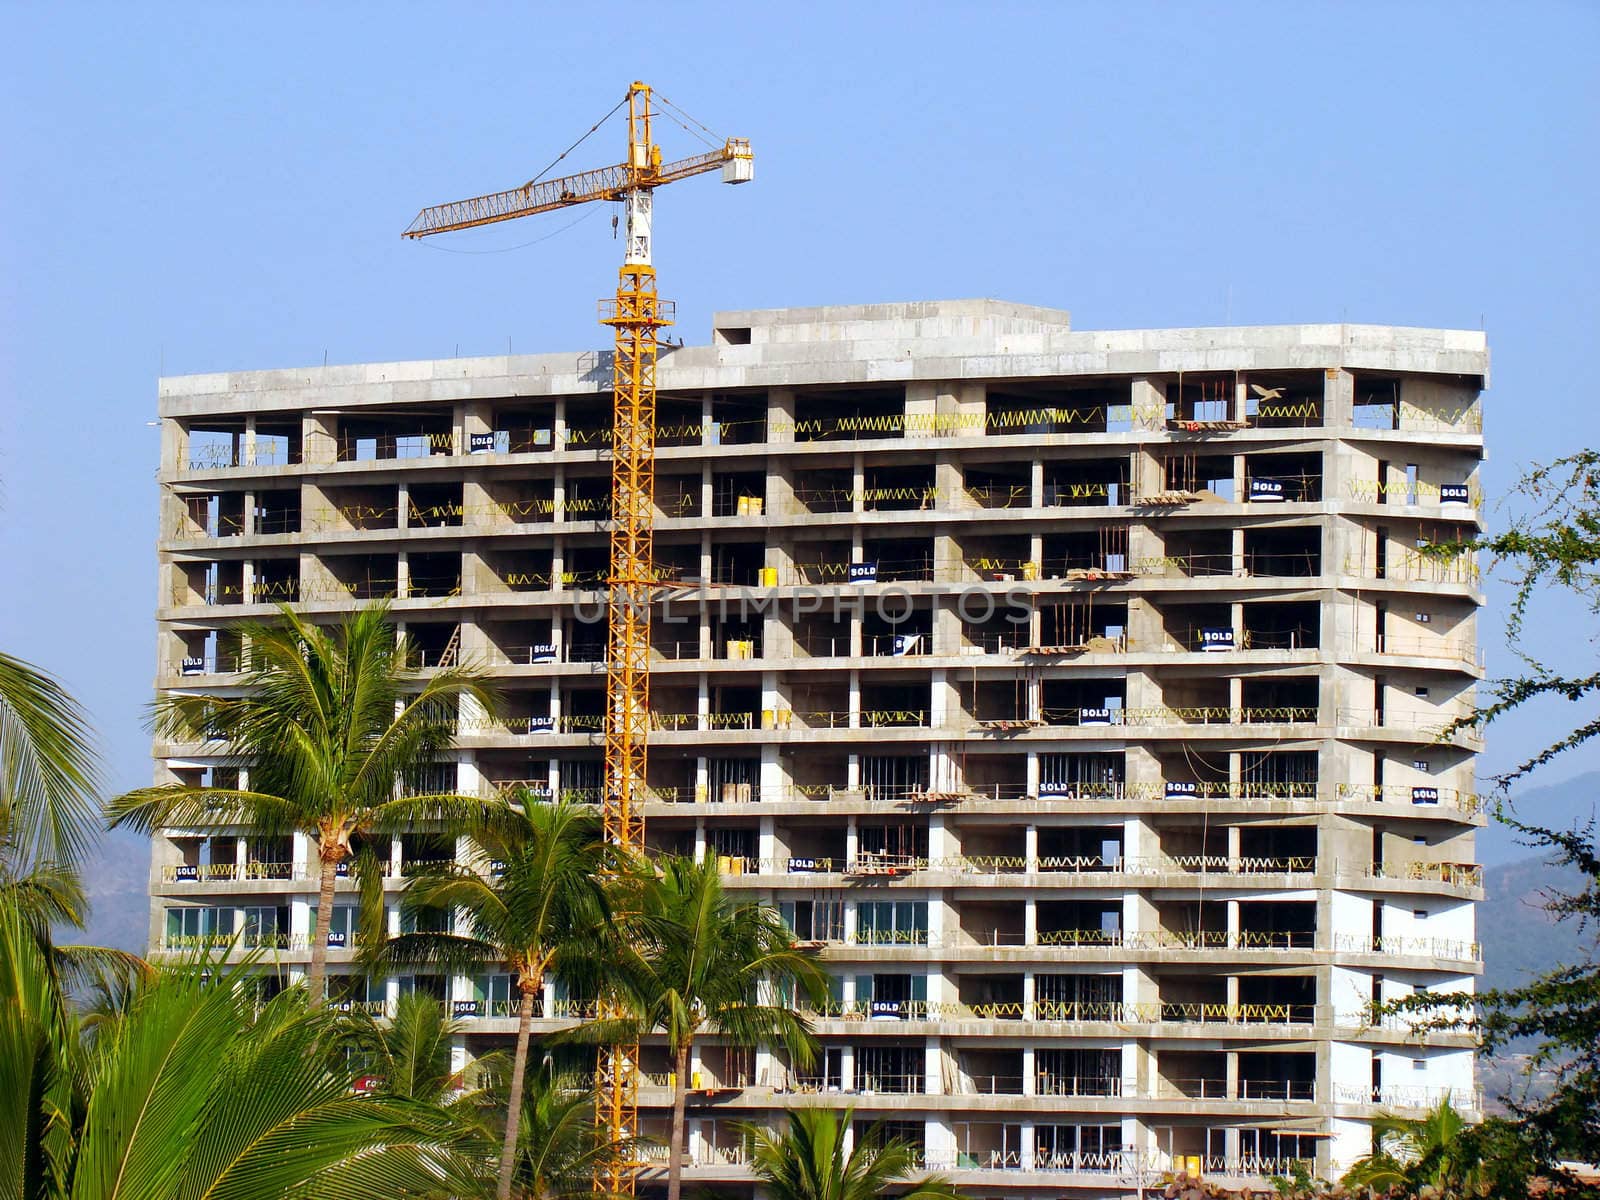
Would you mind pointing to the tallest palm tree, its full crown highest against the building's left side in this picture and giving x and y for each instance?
(329, 729)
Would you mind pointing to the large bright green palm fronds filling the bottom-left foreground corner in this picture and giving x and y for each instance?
(194, 1092)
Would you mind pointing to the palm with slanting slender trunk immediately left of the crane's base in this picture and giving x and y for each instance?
(540, 908)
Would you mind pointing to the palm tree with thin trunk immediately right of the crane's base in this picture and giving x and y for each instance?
(698, 966)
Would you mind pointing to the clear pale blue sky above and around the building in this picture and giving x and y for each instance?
(223, 188)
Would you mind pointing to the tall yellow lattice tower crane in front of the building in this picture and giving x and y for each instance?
(636, 318)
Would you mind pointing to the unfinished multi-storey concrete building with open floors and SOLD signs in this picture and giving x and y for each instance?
(1079, 694)
